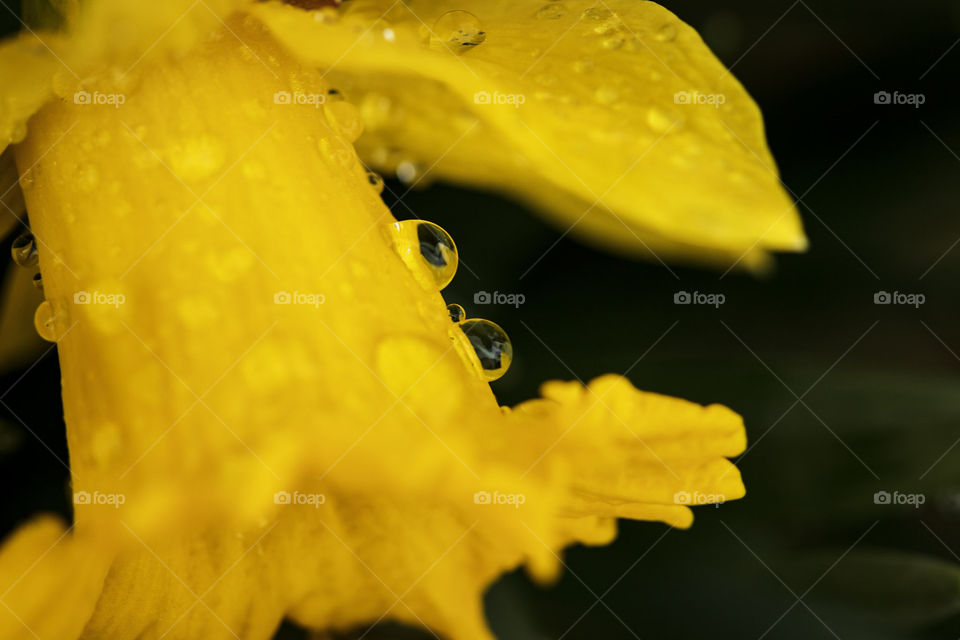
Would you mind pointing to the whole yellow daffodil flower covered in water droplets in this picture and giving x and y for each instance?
(270, 412)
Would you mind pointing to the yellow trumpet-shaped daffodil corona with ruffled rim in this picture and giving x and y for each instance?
(268, 412)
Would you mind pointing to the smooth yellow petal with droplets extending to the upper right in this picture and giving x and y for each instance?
(576, 107)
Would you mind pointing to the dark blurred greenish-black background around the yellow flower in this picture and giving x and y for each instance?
(850, 406)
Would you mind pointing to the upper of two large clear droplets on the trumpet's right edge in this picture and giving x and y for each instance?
(427, 250)
